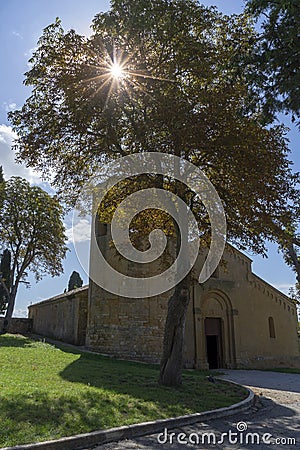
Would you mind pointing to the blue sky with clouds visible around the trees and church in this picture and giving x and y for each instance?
(22, 23)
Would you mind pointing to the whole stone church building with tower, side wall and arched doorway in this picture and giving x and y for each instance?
(234, 320)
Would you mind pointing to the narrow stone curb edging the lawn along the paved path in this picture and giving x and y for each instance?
(81, 441)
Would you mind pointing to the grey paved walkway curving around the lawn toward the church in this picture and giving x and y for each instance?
(272, 423)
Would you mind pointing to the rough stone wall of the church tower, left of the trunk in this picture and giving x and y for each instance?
(129, 328)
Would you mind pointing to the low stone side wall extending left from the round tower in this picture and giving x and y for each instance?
(63, 317)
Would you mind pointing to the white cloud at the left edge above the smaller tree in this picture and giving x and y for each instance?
(7, 158)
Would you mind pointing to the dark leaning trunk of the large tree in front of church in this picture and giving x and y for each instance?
(172, 359)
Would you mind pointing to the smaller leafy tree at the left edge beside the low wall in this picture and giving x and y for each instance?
(32, 231)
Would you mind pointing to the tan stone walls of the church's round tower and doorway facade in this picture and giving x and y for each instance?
(240, 301)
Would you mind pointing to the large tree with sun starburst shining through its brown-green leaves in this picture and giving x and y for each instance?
(159, 76)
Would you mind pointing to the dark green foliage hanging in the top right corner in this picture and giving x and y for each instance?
(275, 66)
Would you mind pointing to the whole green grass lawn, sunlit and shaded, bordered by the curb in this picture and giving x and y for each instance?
(48, 392)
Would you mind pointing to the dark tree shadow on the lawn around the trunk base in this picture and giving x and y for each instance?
(140, 382)
